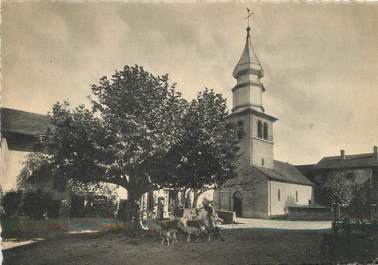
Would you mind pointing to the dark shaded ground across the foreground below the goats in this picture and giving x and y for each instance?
(242, 246)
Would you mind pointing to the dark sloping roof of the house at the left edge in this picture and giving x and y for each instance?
(22, 122)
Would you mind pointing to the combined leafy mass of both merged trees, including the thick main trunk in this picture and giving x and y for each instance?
(141, 134)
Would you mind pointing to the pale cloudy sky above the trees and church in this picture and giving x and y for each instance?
(320, 60)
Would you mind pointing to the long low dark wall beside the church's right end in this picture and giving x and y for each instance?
(309, 213)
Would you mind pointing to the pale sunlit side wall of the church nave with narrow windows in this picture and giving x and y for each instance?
(279, 206)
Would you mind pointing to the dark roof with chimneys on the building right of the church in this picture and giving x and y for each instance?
(350, 161)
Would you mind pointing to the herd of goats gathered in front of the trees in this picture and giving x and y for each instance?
(196, 224)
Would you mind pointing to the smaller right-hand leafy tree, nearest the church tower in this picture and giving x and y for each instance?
(206, 155)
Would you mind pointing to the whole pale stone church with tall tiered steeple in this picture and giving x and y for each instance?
(265, 187)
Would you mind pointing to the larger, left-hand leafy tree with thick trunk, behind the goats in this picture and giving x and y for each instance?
(135, 118)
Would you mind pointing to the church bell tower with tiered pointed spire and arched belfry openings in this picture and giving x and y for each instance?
(248, 112)
